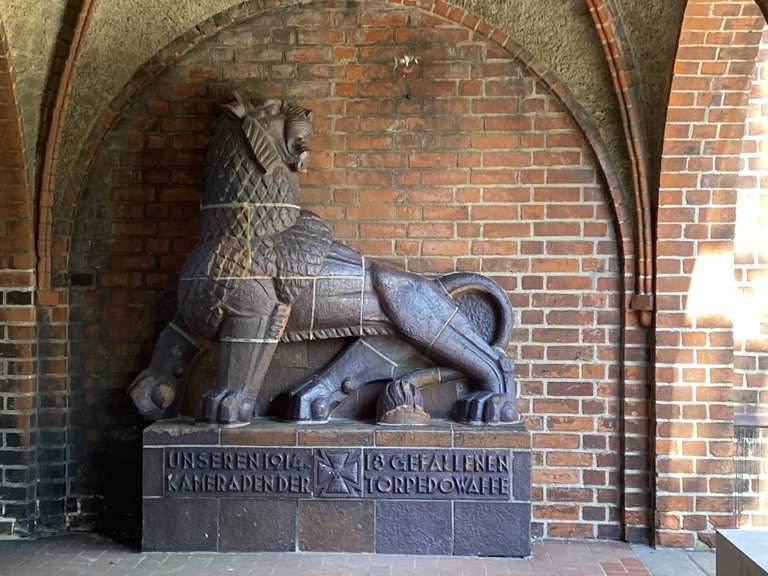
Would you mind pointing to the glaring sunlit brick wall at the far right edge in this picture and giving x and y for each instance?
(751, 322)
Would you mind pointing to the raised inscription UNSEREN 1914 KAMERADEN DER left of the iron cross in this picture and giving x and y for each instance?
(245, 472)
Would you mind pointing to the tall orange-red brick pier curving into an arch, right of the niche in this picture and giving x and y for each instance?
(700, 178)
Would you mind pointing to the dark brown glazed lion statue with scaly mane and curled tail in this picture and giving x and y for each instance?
(265, 271)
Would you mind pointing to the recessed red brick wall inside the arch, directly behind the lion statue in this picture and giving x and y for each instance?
(479, 169)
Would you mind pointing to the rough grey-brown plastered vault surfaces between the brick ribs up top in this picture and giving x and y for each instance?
(124, 34)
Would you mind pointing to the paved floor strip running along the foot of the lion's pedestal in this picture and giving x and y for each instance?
(90, 555)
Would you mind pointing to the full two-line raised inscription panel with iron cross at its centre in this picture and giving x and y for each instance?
(420, 473)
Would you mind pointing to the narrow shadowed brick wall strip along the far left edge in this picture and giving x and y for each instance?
(17, 315)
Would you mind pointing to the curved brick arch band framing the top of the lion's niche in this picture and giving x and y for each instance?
(55, 257)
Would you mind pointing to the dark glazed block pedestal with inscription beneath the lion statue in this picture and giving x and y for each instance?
(342, 487)
